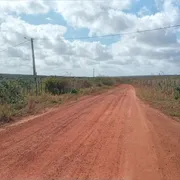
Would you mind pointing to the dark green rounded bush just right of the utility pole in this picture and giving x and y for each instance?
(57, 86)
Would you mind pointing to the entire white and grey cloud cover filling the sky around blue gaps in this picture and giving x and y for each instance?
(142, 53)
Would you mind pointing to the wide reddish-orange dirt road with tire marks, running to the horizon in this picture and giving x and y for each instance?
(112, 136)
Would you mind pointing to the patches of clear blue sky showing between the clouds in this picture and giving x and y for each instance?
(53, 17)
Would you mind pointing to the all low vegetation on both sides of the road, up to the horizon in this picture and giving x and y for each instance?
(18, 95)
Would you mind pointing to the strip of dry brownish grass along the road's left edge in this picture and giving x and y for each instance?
(37, 104)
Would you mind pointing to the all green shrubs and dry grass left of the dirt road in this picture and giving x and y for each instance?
(18, 96)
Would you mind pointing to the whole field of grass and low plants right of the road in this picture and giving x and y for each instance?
(162, 92)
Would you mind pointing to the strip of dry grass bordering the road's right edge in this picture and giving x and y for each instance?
(165, 103)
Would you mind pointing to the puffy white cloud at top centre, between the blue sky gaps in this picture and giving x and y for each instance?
(97, 14)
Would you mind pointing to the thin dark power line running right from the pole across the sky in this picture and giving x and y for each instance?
(119, 34)
